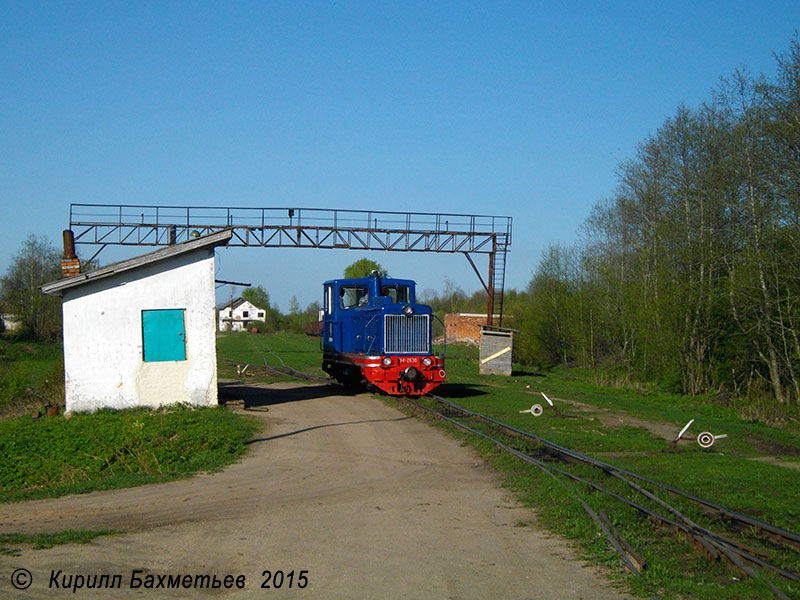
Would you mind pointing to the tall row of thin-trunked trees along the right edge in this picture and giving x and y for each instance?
(688, 274)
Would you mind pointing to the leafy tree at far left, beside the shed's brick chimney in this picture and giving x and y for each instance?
(35, 264)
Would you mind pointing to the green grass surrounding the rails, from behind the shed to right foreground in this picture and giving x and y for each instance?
(618, 426)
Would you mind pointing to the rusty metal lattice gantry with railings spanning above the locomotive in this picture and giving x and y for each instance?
(142, 225)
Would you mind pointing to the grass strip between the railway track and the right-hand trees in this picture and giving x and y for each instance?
(521, 390)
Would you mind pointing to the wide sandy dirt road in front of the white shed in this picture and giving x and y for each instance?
(357, 499)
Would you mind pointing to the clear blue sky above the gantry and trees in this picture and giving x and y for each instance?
(511, 108)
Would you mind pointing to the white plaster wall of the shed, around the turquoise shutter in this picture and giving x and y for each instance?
(103, 337)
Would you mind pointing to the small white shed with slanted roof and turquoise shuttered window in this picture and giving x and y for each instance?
(141, 332)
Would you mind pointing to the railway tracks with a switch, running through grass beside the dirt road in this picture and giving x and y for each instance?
(644, 495)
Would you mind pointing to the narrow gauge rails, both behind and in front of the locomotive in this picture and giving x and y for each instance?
(742, 557)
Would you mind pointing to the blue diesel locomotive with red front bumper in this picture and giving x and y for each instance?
(374, 332)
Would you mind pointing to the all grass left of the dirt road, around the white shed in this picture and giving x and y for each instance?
(109, 449)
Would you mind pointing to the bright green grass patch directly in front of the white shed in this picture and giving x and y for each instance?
(115, 448)
